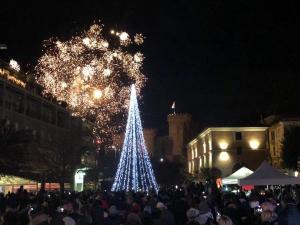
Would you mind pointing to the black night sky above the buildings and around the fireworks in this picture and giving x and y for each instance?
(225, 62)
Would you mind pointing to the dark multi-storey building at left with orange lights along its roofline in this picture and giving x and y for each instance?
(27, 110)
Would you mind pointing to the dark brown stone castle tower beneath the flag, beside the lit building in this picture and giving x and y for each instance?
(179, 132)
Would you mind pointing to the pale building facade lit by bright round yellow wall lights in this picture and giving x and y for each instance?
(224, 148)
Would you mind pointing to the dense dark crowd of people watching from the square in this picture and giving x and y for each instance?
(187, 205)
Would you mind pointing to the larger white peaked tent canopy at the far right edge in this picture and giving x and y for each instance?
(265, 174)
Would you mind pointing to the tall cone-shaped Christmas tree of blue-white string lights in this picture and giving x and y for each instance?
(134, 170)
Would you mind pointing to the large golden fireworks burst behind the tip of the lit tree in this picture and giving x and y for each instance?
(92, 75)
